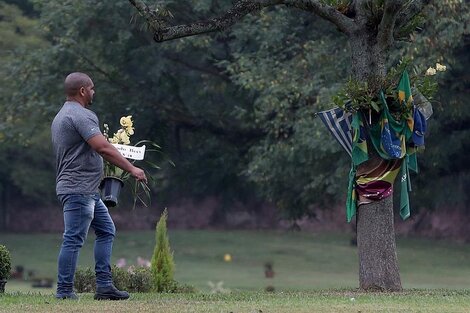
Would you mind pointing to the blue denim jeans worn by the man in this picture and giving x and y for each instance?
(81, 212)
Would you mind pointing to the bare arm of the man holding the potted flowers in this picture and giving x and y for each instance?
(111, 154)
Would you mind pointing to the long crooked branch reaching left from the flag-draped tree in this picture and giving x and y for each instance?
(235, 14)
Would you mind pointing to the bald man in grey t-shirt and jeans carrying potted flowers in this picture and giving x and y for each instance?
(79, 148)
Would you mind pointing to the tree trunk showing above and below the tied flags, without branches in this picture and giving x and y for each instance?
(378, 264)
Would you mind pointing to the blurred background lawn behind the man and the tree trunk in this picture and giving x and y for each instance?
(302, 261)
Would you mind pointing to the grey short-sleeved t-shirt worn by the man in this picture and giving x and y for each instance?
(79, 167)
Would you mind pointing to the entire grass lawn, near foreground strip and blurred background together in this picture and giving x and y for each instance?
(313, 273)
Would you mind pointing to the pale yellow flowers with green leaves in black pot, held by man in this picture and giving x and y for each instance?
(140, 189)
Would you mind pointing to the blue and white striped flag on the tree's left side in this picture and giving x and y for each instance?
(338, 123)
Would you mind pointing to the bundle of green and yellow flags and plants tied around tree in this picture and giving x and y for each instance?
(388, 123)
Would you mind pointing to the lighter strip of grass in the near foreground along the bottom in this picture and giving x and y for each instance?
(334, 301)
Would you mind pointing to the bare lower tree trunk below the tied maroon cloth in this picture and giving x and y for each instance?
(378, 262)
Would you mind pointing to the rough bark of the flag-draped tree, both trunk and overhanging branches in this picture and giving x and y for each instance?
(370, 27)
